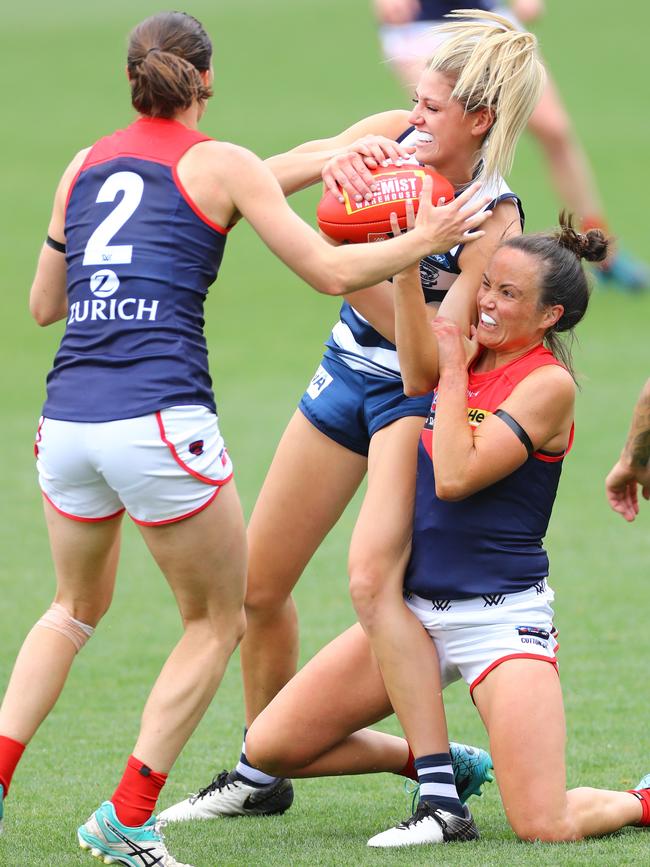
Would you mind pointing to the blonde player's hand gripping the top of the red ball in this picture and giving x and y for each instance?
(350, 170)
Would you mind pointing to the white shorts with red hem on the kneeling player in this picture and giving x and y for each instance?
(473, 636)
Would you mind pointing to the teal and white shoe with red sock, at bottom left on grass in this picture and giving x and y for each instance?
(114, 843)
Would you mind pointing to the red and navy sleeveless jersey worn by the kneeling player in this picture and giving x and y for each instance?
(490, 542)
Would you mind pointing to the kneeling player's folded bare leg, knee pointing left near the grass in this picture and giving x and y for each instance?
(312, 727)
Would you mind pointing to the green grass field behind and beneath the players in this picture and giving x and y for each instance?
(286, 72)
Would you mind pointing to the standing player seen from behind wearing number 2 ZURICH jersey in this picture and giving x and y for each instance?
(136, 237)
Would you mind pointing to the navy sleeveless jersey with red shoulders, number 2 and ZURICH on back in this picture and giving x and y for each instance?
(140, 258)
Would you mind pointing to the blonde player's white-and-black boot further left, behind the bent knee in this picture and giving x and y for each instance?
(228, 796)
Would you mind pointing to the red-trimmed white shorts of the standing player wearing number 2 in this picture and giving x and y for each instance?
(161, 467)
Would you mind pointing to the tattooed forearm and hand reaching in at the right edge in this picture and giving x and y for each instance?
(632, 470)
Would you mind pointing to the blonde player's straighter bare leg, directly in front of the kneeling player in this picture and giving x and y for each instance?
(378, 556)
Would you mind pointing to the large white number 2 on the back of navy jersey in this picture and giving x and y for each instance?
(98, 250)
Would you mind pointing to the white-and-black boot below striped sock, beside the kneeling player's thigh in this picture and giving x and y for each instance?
(428, 825)
